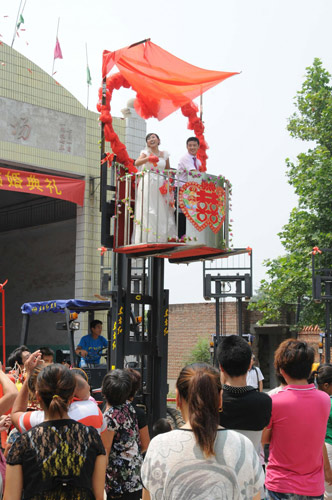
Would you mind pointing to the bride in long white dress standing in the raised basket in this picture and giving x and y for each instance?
(154, 220)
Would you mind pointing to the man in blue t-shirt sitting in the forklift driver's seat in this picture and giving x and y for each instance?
(90, 345)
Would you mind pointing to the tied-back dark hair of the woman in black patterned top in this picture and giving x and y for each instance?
(56, 386)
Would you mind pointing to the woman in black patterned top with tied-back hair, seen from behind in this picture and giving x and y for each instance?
(60, 459)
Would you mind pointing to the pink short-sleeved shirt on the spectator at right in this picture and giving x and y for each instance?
(298, 423)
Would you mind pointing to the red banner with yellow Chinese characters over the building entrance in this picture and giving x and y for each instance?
(63, 188)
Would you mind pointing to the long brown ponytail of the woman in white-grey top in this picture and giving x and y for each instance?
(199, 385)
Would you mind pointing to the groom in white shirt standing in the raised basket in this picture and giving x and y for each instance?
(188, 163)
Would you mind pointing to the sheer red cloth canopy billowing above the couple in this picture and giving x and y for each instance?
(163, 82)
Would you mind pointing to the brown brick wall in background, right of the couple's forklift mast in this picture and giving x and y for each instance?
(189, 322)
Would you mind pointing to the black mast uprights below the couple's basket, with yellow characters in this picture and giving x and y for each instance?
(151, 343)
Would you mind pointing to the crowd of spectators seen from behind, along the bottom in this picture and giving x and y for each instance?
(237, 441)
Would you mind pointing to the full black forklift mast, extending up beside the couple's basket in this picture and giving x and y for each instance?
(137, 329)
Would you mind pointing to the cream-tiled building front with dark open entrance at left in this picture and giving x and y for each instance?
(48, 246)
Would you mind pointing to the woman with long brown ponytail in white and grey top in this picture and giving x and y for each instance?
(201, 460)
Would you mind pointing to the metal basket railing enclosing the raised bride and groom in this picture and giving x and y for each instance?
(148, 210)
